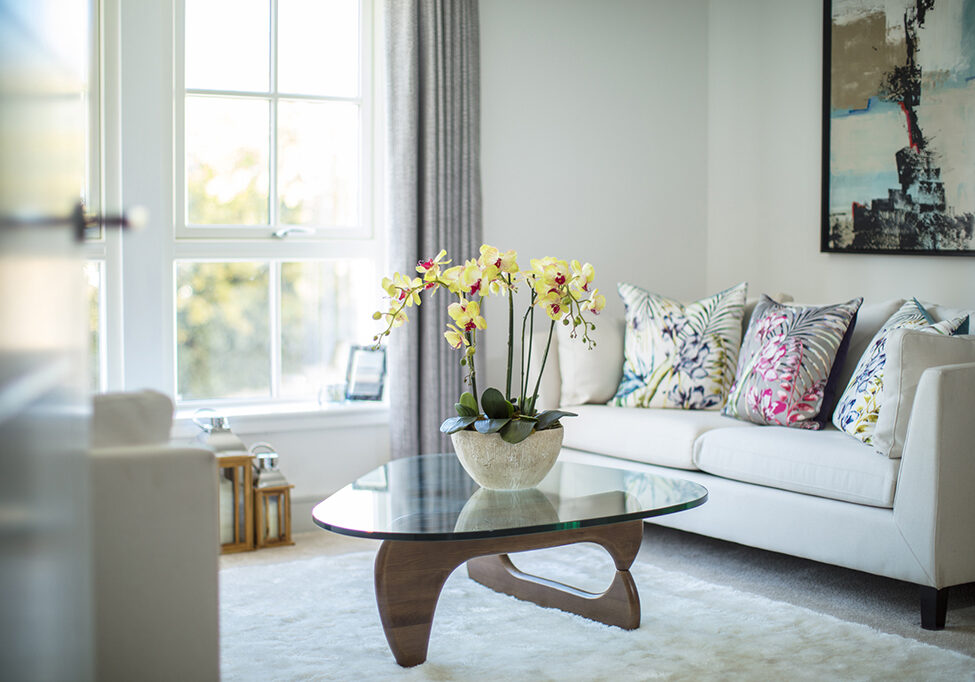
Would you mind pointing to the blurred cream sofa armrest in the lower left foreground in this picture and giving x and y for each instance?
(155, 553)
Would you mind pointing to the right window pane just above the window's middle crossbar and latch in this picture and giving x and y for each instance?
(318, 163)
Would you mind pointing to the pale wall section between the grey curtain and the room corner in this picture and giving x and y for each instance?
(593, 140)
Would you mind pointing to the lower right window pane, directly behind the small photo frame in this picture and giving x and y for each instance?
(326, 307)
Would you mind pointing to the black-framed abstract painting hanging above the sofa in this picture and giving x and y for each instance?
(899, 127)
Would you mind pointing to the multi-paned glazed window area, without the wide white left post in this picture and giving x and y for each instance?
(273, 140)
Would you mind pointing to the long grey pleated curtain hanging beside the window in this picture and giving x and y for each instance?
(433, 137)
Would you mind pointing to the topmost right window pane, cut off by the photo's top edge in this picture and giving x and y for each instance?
(318, 47)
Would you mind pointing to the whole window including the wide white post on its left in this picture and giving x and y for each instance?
(258, 271)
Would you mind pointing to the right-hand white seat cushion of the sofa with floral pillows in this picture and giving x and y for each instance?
(825, 463)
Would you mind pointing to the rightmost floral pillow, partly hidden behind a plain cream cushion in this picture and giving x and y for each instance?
(858, 407)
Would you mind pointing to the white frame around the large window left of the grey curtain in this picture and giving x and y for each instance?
(150, 54)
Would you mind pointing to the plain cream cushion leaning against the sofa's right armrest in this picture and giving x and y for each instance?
(909, 353)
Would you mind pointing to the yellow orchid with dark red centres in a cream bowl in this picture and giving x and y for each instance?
(500, 438)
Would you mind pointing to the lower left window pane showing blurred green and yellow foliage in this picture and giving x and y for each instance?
(223, 334)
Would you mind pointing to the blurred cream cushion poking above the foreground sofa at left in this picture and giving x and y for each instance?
(136, 418)
